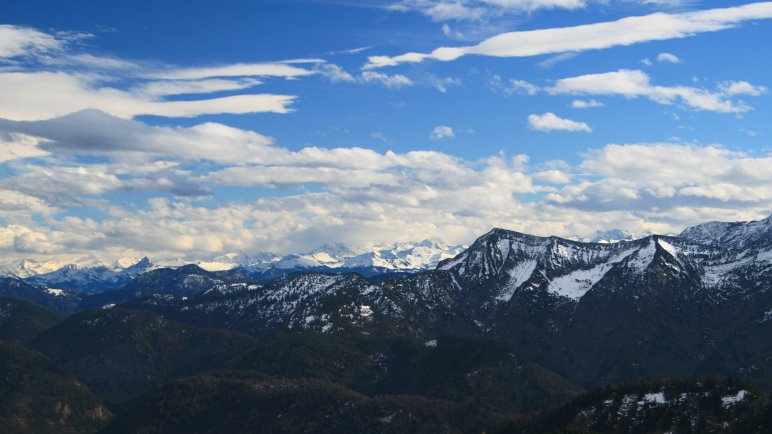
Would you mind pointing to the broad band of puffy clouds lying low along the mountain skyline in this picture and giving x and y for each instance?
(364, 196)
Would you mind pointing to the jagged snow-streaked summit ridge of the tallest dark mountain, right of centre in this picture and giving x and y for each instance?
(504, 262)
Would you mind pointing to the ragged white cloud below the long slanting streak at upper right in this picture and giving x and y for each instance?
(636, 83)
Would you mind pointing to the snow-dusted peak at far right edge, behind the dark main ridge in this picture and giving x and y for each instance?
(736, 235)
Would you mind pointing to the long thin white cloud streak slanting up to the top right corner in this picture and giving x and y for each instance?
(626, 31)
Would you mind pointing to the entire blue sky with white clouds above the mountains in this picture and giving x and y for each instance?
(191, 129)
